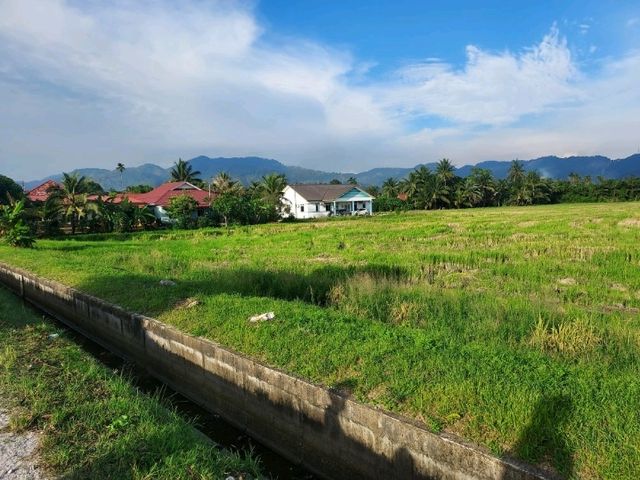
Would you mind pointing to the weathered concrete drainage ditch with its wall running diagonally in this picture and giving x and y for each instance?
(328, 433)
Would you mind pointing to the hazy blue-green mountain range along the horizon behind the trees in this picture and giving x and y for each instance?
(247, 169)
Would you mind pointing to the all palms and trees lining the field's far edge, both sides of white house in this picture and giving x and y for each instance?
(80, 205)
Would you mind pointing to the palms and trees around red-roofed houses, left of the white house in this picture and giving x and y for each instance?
(79, 205)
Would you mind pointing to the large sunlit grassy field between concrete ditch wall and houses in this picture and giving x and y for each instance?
(516, 328)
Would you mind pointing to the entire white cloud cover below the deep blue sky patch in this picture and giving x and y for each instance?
(83, 84)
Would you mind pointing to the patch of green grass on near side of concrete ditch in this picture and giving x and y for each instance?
(94, 423)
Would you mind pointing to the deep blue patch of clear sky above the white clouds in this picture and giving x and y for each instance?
(392, 33)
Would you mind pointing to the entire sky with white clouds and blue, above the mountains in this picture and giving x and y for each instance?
(333, 85)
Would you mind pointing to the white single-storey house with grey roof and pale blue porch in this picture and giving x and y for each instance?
(314, 201)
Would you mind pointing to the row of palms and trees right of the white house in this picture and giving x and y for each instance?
(442, 188)
